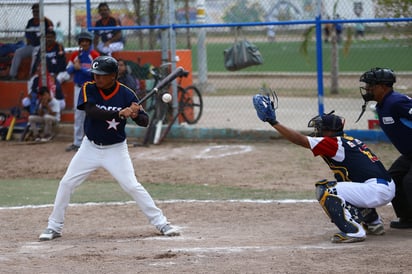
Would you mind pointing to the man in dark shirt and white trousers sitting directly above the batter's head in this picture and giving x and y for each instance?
(107, 41)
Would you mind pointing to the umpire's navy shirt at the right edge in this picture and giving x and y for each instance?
(395, 119)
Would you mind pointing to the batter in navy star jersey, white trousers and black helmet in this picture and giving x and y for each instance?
(107, 104)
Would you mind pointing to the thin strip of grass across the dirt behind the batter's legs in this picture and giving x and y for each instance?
(20, 192)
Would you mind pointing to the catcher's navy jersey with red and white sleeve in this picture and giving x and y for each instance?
(349, 159)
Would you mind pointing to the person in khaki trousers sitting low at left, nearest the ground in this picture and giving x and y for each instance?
(47, 116)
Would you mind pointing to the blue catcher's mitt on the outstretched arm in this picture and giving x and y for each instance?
(265, 106)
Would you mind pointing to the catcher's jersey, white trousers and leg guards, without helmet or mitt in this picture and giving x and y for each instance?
(363, 184)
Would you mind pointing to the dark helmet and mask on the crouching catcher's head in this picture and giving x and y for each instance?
(323, 122)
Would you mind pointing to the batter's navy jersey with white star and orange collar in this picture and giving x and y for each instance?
(106, 132)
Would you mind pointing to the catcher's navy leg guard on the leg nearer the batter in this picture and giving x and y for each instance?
(335, 207)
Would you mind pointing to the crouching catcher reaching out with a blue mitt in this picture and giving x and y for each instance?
(362, 182)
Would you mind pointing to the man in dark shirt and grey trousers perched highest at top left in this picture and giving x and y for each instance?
(32, 46)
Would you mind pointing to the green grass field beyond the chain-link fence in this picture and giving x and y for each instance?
(286, 56)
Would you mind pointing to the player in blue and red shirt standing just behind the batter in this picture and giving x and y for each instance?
(79, 66)
